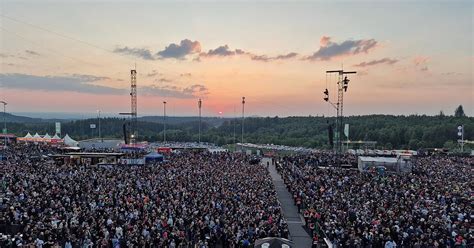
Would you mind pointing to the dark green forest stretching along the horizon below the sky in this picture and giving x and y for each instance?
(390, 132)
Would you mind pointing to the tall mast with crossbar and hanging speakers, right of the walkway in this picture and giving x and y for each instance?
(342, 85)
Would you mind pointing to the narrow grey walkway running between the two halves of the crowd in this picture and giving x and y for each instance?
(290, 211)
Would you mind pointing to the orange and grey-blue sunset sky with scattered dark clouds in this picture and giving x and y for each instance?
(412, 57)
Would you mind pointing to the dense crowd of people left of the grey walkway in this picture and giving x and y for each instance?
(192, 200)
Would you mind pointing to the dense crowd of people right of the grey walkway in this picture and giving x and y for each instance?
(430, 207)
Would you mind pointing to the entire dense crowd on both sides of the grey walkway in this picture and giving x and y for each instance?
(227, 200)
